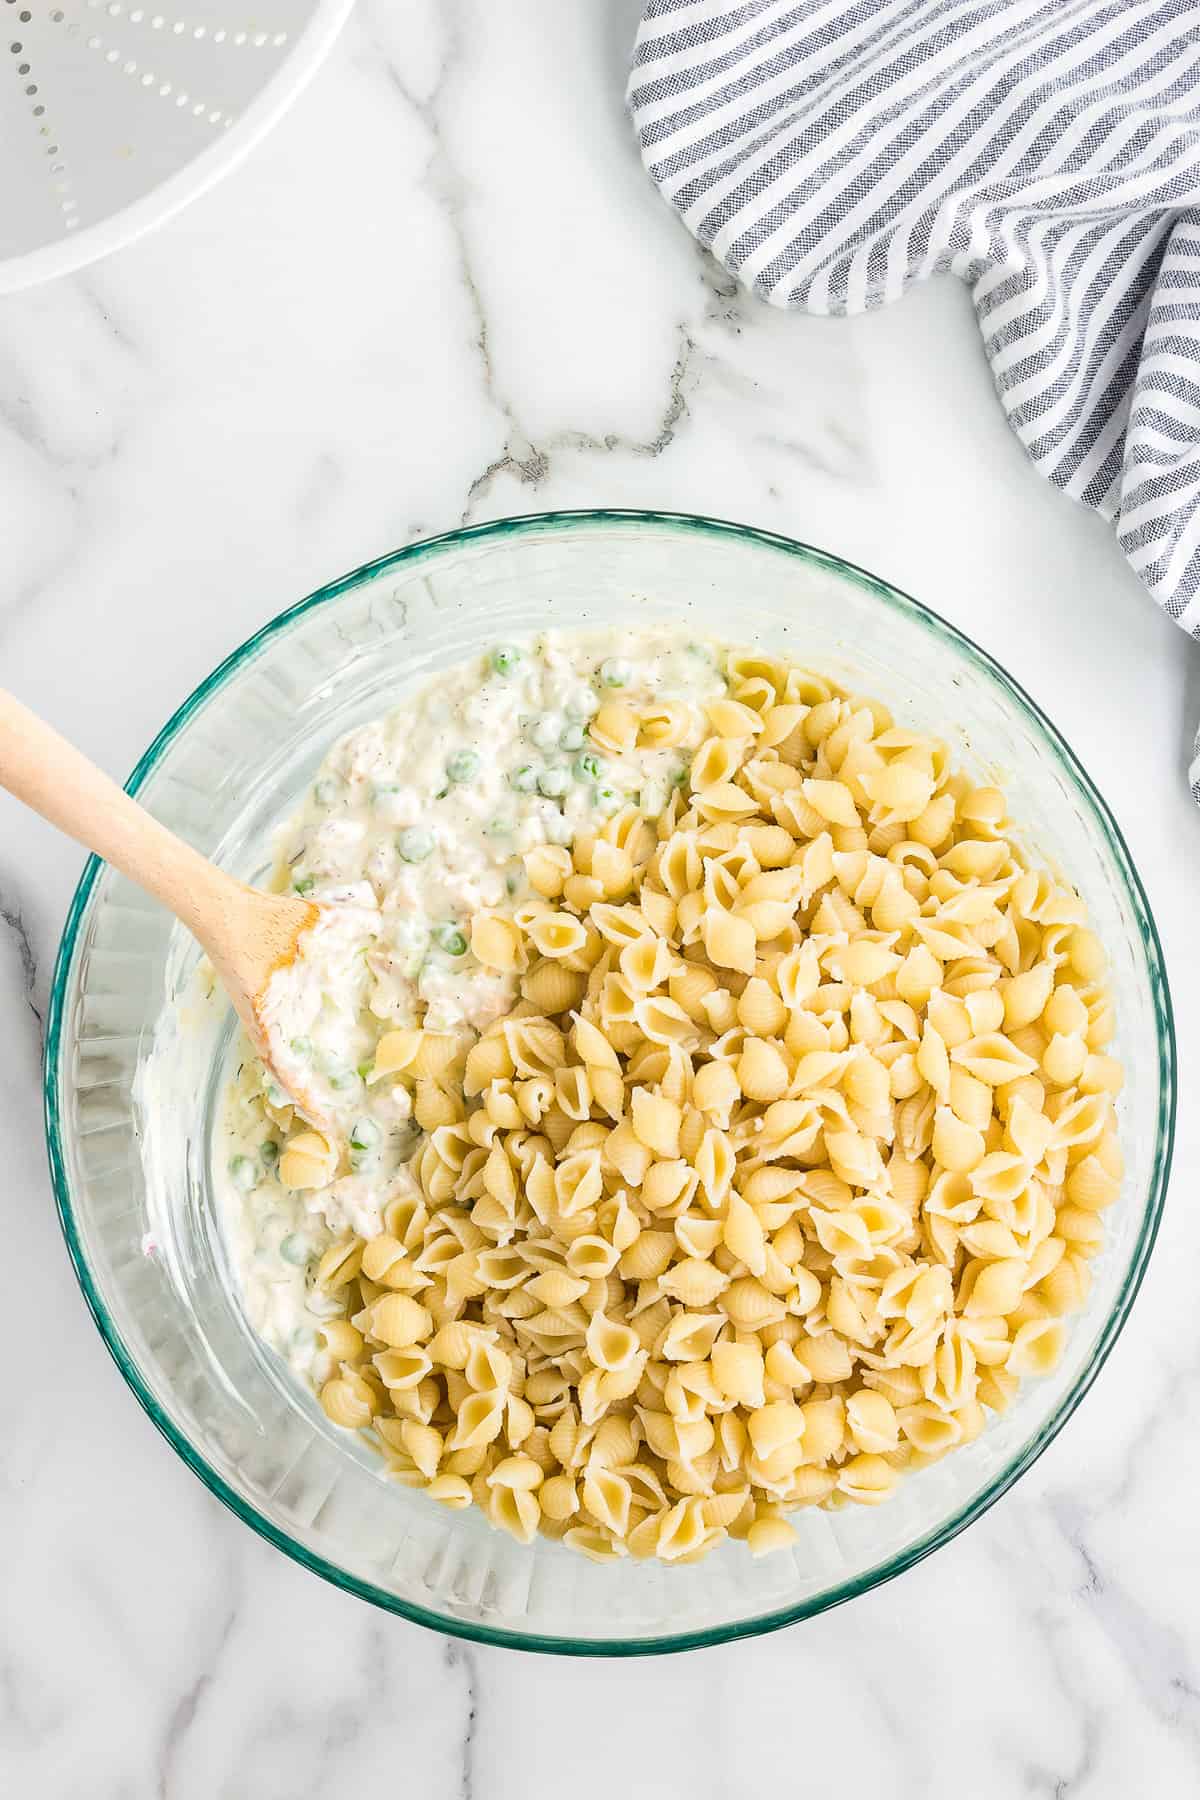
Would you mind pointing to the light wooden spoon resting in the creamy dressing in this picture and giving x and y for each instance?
(246, 933)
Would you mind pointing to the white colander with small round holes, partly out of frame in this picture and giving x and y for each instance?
(114, 114)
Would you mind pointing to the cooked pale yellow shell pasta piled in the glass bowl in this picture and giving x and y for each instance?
(782, 1165)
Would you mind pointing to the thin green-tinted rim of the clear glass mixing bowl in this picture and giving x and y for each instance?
(694, 525)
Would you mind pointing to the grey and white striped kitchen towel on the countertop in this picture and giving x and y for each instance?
(1048, 152)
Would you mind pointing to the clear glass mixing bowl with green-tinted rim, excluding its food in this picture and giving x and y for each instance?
(134, 1185)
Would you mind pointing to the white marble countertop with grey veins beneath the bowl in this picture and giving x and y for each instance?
(445, 291)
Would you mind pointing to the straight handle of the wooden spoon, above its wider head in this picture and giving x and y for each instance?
(57, 780)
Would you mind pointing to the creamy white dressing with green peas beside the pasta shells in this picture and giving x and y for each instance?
(413, 825)
